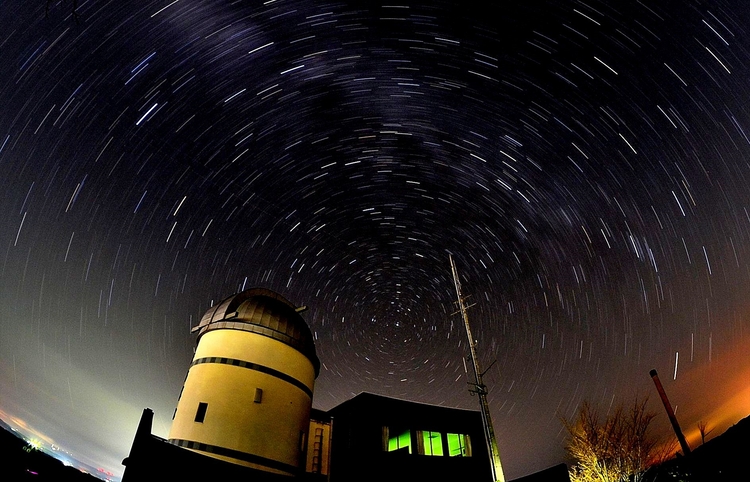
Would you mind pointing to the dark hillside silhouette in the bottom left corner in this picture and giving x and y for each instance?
(21, 461)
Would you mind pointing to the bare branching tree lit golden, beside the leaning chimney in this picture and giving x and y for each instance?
(615, 448)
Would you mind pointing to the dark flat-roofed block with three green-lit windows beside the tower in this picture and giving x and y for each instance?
(390, 439)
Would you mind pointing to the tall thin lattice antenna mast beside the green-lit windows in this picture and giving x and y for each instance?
(479, 387)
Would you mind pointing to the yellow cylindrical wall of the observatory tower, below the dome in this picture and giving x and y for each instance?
(265, 430)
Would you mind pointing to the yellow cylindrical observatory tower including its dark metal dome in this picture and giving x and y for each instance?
(248, 392)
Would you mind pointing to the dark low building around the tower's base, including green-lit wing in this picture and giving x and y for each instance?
(367, 437)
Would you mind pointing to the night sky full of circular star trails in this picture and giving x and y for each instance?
(585, 162)
